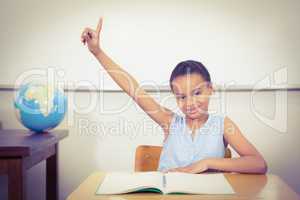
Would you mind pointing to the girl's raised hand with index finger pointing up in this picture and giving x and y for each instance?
(91, 37)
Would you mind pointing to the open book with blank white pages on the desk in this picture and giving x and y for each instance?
(164, 183)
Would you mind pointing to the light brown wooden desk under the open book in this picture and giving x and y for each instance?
(246, 187)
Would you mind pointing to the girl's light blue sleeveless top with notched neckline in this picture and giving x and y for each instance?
(180, 149)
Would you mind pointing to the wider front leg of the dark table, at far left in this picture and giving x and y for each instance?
(16, 179)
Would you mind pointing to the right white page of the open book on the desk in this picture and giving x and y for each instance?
(197, 183)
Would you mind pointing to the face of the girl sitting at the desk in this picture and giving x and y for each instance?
(192, 94)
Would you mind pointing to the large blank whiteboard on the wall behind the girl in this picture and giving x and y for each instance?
(240, 42)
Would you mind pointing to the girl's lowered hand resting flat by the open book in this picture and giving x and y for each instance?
(194, 168)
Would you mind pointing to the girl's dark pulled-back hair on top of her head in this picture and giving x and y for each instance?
(189, 67)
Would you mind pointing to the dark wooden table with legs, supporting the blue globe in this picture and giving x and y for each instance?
(20, 150)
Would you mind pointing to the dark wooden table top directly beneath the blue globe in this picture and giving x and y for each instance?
(19, 142)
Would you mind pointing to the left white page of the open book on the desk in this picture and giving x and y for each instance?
(124, 182)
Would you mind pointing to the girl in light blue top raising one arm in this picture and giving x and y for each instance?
(193, 143)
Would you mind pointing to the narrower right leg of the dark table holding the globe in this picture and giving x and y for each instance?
(52, 177)
